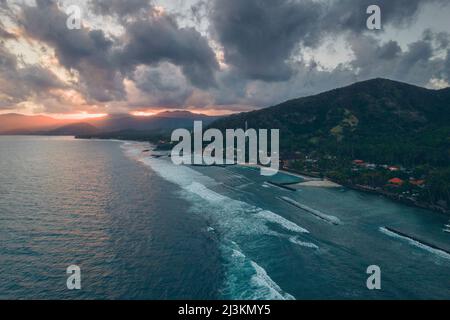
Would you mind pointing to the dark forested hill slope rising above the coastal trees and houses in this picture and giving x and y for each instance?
(379, 120)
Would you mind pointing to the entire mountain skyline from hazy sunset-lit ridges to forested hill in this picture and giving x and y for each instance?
(378, 120)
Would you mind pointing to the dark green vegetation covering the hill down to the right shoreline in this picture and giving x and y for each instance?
(382, 122)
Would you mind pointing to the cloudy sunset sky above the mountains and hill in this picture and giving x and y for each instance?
(211, 56)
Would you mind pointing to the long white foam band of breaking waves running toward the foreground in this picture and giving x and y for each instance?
(235, 218)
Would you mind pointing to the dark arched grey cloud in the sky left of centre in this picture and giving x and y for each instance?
(160, 39)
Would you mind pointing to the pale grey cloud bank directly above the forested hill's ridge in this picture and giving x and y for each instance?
(416, 64)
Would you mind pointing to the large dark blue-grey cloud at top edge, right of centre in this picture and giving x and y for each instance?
(259, 36)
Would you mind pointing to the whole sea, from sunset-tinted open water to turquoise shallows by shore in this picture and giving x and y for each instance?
(141, 228)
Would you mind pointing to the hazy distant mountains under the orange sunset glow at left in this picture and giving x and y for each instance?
(16, 124)
